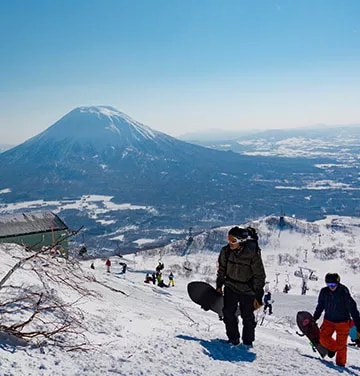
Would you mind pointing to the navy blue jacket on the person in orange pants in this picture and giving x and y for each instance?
(338, 305)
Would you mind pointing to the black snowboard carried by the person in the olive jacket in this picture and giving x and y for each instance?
(207, 297)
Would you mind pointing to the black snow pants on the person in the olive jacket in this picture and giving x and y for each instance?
(246, 303)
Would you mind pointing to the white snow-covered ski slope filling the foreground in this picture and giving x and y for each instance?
(135, 329)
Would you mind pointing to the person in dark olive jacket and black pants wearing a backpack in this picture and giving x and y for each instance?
(241, 271)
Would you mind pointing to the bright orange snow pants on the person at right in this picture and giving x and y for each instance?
(338, 345)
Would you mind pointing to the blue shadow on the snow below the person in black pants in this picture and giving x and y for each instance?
(220, 350)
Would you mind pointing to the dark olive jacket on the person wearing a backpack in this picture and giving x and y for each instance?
(242, 269)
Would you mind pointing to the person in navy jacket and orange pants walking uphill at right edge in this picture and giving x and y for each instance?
(335, 299)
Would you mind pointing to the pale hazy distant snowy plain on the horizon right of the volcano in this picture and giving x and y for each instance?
(340, 143)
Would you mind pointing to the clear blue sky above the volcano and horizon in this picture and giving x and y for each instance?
(180, 65)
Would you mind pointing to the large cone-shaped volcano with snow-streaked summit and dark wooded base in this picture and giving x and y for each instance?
(100, 150)
